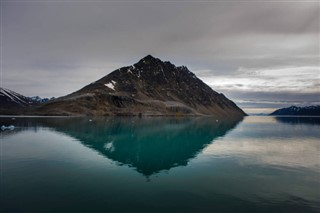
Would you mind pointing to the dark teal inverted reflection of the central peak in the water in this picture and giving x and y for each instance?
(147, 144)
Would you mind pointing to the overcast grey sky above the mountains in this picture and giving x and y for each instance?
(261, 54)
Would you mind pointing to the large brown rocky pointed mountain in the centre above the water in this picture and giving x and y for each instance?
(149, 87)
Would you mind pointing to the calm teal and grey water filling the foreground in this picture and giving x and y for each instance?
(258, 164)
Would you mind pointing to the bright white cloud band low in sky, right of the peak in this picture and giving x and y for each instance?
(294, 79)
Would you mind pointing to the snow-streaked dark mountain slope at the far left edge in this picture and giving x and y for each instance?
(11, 99)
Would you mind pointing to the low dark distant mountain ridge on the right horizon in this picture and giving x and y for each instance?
(294, 110)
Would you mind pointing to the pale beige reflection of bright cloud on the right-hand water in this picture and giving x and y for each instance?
(285, 153)
